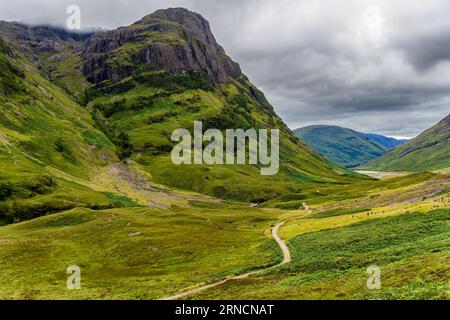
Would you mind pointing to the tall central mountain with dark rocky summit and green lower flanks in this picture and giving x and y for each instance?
(164, 72)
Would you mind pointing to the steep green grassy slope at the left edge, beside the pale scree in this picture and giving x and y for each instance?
(44, 137)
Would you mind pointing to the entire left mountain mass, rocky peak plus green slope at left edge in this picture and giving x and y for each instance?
(73, 105)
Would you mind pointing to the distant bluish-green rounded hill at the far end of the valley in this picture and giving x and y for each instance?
(345, 146)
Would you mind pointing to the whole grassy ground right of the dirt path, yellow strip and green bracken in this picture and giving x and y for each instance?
(400, 224)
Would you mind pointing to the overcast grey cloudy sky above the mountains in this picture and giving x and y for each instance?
(374, 66)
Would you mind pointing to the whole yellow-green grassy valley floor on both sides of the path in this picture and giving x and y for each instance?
(400, 224)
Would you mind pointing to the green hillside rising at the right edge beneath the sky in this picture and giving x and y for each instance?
(427, 152)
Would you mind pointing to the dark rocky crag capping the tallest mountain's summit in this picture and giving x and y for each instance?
(172, 40)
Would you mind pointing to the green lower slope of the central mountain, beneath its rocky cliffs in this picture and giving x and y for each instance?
(148, 115)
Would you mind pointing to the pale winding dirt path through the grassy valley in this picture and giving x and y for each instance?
(286, 259)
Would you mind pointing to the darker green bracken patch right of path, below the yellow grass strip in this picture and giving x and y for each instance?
(412, 251)
